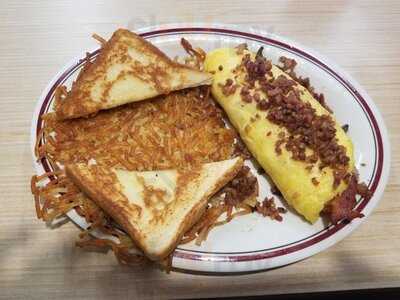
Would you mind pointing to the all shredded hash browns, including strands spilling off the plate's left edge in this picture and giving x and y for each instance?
(183, 128)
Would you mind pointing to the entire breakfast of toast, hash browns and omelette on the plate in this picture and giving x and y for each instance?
(142, 173)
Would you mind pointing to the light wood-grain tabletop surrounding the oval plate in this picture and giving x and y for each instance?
(39, 37)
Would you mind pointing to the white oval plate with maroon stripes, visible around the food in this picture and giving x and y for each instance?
(251, 242)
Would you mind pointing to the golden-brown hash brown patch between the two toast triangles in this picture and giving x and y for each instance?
(181, 128)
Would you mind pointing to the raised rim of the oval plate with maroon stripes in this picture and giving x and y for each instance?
(206, 262)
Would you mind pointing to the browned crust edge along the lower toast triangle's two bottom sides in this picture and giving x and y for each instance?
(103, 197)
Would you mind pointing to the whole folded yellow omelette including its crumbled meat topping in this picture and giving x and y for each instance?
(290, 133)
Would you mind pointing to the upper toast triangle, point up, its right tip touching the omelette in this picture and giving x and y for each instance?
(128, 69)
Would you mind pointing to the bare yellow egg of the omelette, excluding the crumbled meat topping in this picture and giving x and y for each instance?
(292, 177)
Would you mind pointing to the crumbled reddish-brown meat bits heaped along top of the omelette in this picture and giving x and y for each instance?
(306, 129)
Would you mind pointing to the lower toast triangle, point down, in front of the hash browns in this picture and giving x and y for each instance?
(154, 207)
